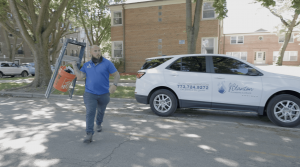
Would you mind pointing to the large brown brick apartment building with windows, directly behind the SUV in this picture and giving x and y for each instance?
(158, 27)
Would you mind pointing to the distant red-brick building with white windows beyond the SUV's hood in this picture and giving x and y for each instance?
(261, 47)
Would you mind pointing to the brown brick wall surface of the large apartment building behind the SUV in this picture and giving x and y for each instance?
(142, 31)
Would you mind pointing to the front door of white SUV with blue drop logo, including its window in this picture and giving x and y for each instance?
(236, 85)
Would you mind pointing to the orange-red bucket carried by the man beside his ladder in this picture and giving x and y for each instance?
(63, 80)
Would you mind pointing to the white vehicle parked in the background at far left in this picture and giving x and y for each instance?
(12, 69)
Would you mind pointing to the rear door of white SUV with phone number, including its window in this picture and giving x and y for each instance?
(189, 78)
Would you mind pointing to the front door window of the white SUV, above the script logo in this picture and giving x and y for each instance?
(224, 65)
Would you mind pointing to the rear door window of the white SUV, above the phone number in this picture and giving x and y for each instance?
(194, 64)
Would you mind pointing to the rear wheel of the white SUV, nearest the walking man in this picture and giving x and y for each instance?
(163, 109)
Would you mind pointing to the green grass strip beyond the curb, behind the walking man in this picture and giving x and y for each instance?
(121, 92)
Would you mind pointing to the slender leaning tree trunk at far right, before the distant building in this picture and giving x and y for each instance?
(286, 40)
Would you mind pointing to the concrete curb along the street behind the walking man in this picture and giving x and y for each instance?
(38, 95)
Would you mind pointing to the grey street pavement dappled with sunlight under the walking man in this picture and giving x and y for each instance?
(44, 133)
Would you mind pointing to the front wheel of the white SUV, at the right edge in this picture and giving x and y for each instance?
(284, 110)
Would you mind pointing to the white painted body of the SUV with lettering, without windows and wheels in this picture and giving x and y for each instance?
(221, 91)
